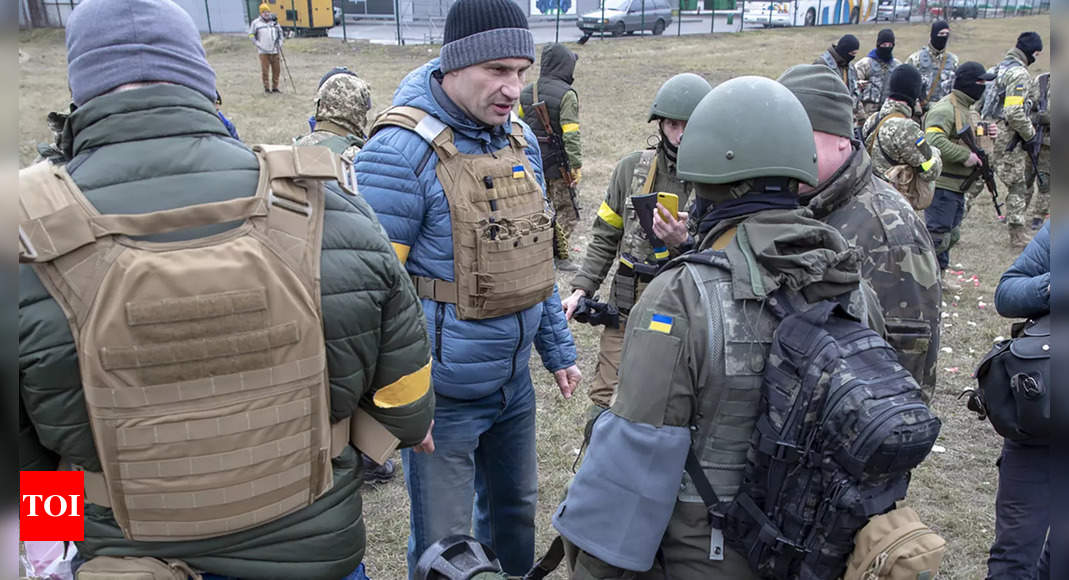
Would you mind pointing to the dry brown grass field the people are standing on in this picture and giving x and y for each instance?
(954, 491)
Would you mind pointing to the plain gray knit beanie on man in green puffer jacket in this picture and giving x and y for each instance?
(112, 43)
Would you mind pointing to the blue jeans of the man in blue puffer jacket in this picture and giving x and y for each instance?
(485, 460)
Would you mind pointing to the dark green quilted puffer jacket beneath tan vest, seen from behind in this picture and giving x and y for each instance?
(161, 148)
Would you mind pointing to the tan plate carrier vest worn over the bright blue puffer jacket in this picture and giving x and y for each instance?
(502, 226)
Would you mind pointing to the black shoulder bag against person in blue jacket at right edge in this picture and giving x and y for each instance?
(1014, 382)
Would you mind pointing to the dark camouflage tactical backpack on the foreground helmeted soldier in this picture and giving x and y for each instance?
(842, 426)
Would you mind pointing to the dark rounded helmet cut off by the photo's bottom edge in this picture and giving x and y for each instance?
(459, 558)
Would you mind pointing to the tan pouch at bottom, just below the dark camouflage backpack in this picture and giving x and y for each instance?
(896, 546)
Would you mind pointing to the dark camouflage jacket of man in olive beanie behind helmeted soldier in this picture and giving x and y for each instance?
(898, 261)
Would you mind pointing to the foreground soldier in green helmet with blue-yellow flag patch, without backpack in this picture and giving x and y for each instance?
(698, 344)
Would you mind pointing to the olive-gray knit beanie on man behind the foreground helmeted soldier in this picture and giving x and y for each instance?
(825, 97)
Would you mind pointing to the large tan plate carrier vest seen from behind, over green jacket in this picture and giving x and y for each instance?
(203, 363)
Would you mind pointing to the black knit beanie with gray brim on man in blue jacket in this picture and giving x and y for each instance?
(485, 30)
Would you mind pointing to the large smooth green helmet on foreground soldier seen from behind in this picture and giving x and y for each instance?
(746, 129)
